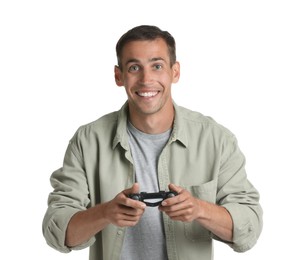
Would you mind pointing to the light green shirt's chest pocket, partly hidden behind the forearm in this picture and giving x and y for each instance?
(206, 192)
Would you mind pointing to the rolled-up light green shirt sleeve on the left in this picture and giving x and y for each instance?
(70, 195)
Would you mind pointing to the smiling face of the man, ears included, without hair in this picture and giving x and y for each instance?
(147, 76)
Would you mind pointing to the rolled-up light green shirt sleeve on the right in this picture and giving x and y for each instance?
(239, 197)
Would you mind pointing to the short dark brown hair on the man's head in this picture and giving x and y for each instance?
(146, 33)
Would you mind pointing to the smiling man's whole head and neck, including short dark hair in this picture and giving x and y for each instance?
(147, 67)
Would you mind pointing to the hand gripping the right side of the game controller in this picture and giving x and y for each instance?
(183, 207)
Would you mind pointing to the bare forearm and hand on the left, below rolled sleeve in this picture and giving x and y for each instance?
(121, 211)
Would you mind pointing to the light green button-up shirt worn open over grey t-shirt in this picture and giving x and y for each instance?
(200, 156)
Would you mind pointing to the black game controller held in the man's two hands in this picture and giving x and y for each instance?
(159, 196)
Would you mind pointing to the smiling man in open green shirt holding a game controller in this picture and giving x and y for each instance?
(151, 145)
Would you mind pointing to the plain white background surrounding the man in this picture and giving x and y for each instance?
(242, 63)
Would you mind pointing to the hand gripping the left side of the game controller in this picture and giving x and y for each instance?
(123, 211)
